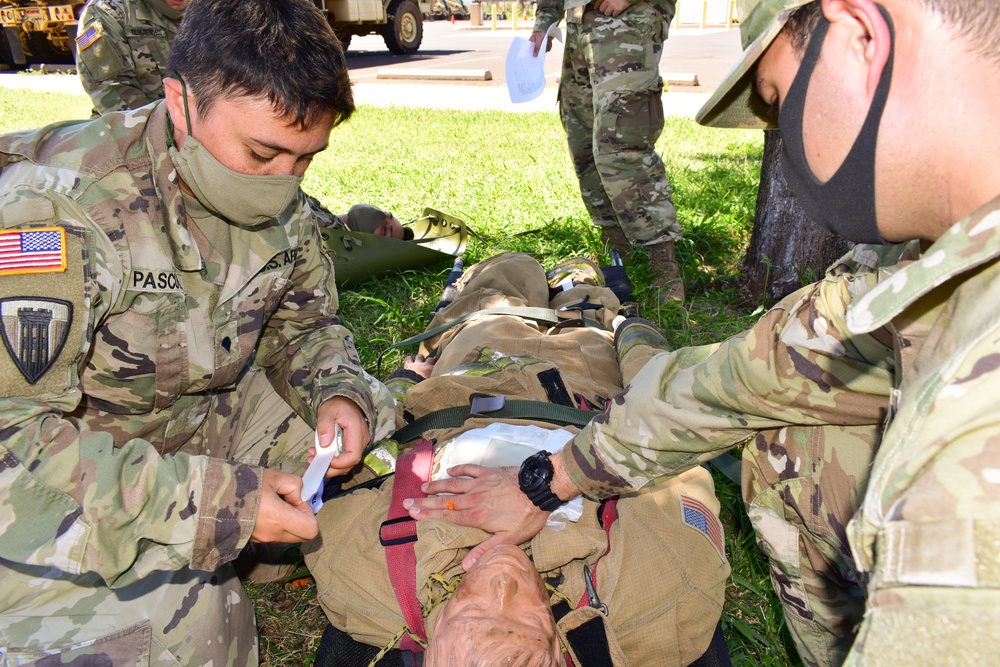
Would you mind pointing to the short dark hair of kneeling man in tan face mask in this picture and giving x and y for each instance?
(280, 49)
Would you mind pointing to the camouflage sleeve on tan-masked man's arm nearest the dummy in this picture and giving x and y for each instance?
(308, 355)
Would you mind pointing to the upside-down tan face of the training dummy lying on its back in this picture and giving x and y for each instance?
(500, 609)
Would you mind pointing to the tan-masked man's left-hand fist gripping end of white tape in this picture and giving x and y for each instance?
(282, 516)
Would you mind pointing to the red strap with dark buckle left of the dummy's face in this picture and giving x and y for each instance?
(399, 532)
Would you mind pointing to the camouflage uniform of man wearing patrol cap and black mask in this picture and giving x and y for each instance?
(866, 399)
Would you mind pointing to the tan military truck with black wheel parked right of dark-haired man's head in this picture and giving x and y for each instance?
(400, 22)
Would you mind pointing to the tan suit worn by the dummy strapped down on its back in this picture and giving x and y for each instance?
(663, 579)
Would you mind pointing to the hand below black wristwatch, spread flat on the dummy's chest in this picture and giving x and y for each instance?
(485, 498)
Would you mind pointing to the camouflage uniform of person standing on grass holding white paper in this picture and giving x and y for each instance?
(611, 106)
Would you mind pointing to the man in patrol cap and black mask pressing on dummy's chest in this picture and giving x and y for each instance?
(866, 402)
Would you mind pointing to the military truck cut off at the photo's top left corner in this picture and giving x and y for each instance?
(39, 31)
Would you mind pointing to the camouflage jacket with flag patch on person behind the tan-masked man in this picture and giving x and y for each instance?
(122, 52)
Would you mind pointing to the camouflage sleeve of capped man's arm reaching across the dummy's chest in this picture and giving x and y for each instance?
(797, 365)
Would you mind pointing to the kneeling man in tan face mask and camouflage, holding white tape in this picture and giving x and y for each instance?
(169, 355)
